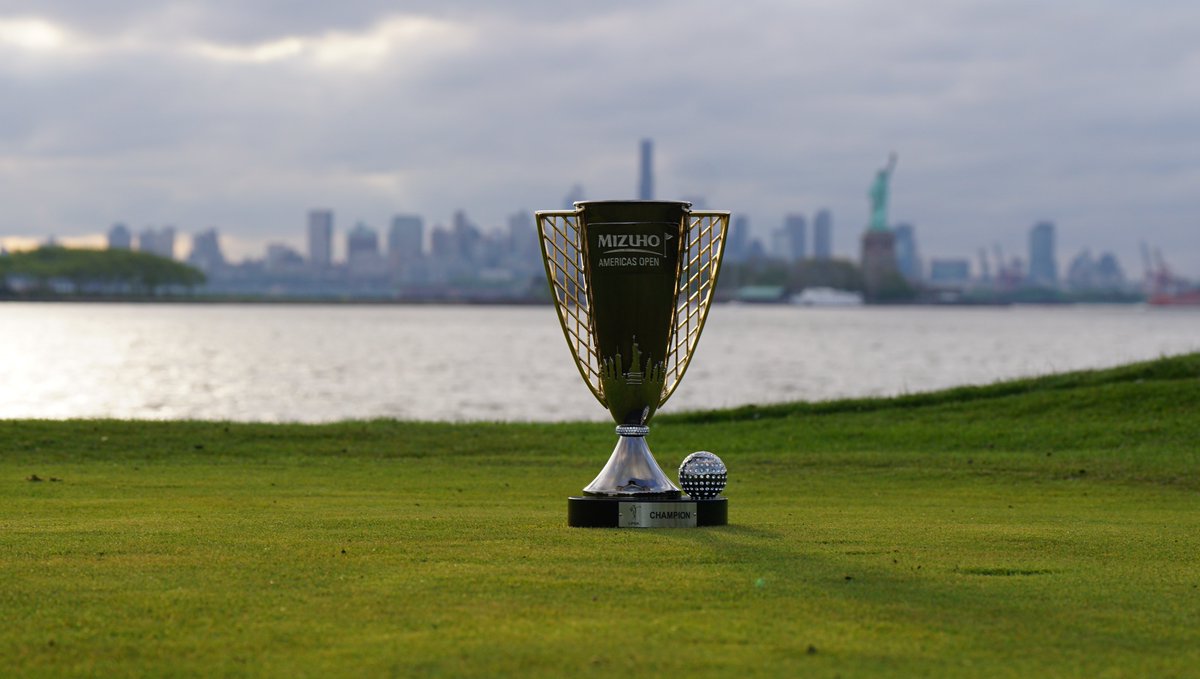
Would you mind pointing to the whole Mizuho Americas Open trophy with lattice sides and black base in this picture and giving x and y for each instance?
(633, 283)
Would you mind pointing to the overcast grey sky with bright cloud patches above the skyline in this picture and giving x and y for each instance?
(244, 115)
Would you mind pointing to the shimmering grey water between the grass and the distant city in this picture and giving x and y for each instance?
(285, 363)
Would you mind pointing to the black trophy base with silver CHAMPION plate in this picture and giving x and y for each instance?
(643, 513)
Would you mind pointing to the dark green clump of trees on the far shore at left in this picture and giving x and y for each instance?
(53, 271)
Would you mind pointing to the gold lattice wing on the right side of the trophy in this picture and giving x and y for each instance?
(699, 266)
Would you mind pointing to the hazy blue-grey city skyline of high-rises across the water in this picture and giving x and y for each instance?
(1039, 263)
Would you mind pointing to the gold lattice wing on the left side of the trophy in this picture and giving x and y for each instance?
(562, 244)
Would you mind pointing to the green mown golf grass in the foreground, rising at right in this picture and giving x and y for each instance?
(1047, 527)
